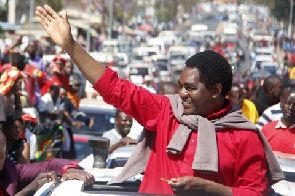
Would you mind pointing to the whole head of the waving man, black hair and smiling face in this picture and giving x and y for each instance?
(204, 83)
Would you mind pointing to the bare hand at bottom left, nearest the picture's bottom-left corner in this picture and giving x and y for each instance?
(38, 182)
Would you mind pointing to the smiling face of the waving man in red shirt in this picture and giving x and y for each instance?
(196, 98)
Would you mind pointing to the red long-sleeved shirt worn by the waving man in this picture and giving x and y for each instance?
(240, 167)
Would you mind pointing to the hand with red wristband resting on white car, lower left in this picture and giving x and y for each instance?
(77, 174)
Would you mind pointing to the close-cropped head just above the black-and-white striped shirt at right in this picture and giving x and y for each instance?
(272, 87)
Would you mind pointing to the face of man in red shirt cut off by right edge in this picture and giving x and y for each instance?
(288, 106)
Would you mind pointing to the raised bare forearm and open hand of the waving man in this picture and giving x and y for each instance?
(59, 30)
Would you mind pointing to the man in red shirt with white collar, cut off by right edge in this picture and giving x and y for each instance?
(281, 134)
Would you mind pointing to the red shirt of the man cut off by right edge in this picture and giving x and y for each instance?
(282, 140)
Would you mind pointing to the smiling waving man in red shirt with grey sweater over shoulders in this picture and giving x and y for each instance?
(238, 170)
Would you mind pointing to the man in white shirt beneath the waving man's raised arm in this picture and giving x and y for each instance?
(119, 135)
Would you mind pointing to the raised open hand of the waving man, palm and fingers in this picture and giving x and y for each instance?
(57, 26)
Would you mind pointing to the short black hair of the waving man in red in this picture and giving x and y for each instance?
(213, 69)
